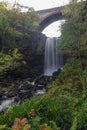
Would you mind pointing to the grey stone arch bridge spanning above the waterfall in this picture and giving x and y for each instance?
(48, 16)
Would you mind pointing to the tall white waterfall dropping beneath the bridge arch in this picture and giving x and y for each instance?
(53, 57)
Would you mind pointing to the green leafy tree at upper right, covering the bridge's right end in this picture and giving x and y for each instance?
(74, 31)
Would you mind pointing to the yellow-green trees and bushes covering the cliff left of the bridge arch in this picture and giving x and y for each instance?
(16, 31)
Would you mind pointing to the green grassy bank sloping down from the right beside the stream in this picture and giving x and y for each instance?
(64, 105)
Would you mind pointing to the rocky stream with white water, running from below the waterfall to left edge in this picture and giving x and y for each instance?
(25, 89)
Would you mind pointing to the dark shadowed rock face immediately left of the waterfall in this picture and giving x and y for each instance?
(33, 52)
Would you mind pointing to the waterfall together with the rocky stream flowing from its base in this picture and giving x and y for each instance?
(53, 63)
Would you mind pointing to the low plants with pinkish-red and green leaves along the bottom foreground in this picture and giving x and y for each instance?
(33, 122)
